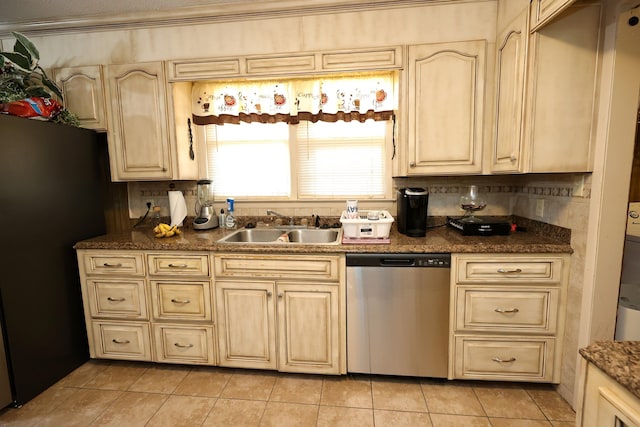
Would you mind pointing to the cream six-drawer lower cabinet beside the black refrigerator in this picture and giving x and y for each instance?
(149, 306)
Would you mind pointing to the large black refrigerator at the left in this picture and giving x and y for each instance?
(51, 185)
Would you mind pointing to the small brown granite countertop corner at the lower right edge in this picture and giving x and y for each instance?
(618, 359)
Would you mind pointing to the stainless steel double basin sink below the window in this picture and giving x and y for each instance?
(309, 236)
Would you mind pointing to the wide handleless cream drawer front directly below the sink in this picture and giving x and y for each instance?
(298, 267)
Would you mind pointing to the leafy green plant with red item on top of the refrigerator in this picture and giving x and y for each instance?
(25, 88)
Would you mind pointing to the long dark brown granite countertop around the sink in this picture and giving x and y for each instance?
(441, 239)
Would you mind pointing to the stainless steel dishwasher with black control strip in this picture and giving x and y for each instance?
(398, 314)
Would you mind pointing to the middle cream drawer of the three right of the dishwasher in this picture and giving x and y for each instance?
(527, 310)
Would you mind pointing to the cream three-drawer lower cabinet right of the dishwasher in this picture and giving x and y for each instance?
(507, 316)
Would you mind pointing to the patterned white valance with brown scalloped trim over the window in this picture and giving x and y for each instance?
(353, 97)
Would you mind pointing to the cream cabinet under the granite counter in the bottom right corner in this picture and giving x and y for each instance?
(605, 403)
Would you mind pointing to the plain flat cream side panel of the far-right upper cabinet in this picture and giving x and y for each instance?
(562, 92)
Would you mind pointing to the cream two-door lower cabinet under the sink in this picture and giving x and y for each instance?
(281, 312)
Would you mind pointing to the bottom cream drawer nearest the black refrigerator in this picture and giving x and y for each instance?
(122, 340)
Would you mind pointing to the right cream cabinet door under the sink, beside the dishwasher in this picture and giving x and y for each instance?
(308, 328)
